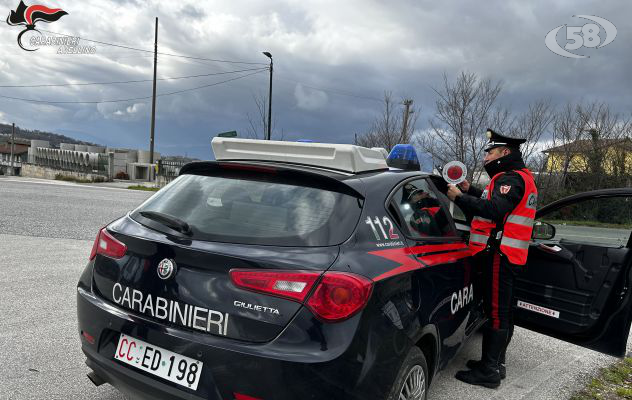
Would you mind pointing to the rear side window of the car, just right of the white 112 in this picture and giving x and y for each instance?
(423, 213)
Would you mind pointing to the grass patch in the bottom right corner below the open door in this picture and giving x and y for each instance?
(612, 383)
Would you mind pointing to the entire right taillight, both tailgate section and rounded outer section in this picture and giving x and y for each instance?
(338, 296)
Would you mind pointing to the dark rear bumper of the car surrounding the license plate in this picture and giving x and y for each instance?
(308, 360)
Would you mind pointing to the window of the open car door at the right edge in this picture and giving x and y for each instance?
(606, 222)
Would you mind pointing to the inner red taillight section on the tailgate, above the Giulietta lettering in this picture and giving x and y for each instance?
(294, 285)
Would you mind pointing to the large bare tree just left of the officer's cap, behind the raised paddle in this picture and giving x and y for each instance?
(464, 110)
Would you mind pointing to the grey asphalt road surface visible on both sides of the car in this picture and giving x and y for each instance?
(46, 232)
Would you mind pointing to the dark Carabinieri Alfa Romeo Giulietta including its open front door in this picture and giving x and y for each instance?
(314, 271)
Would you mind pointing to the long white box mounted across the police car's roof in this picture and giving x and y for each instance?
(343, 157)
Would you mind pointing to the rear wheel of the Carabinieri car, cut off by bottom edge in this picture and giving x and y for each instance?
(414, 370)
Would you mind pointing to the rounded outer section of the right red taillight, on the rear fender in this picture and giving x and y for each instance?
(339, 296)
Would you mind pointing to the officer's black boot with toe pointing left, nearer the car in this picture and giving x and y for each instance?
(488, 374)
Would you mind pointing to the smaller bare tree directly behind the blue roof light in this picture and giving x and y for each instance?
(392, 126)
